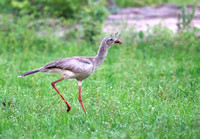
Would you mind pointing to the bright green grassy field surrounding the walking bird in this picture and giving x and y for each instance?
(146, 88)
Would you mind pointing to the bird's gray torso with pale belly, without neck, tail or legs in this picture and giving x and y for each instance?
(81, 67)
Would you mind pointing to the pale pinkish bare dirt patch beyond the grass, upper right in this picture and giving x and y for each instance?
(140, 19)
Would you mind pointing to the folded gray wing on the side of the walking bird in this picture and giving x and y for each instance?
(75, 64)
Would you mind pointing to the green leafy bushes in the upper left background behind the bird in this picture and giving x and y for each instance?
(91, 14)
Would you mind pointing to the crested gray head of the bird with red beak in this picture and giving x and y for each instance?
(112, 39)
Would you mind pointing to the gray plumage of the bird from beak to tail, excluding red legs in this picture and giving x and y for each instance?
(77, 67)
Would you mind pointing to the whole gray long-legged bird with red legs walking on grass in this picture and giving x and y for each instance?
(77, 67)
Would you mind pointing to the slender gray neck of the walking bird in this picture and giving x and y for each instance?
(102, 52)
